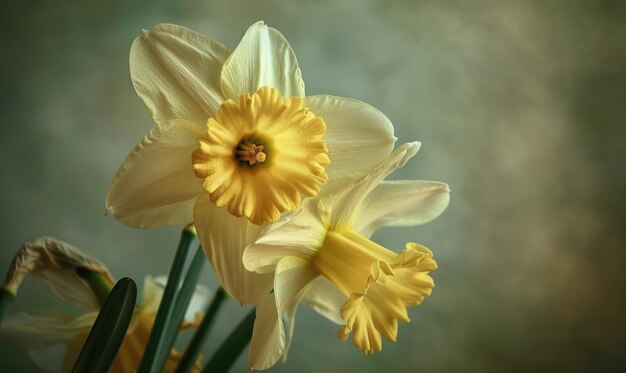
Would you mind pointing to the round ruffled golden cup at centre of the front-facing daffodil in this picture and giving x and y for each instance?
(262, 155)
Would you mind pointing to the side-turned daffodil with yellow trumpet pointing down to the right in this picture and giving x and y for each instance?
(322, 256)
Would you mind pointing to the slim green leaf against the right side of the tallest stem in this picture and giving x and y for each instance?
(181, 303)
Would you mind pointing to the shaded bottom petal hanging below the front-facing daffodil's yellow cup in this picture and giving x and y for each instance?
(224, 238)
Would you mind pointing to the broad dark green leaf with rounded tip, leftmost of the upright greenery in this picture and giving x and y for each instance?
(107, 333)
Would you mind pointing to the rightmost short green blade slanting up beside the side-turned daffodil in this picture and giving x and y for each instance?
(231, 348)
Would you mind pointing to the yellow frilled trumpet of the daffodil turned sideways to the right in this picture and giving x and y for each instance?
(378, 282)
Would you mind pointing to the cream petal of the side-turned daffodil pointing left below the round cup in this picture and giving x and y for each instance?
(296, 235)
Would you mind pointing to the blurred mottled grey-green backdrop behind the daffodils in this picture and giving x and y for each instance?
(520, 106)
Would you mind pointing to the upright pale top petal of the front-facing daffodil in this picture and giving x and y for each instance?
(263, 58)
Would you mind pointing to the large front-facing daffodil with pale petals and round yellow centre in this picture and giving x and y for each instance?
(237, 144)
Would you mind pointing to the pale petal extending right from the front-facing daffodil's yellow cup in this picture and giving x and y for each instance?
(358, 137)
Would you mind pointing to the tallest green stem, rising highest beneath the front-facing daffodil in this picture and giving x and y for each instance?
(155, 341)
